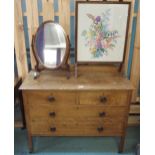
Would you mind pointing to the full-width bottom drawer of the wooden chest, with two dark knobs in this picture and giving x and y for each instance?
(104, 129)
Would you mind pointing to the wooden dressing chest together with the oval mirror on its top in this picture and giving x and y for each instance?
(96, 103)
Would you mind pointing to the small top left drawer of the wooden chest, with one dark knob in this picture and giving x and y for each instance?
(51, 97)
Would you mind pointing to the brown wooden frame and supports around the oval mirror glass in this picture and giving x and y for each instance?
(39, 64)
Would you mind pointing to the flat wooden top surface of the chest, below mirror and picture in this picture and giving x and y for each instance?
(56, 80)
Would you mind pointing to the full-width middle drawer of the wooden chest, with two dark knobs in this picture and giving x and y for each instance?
(76, 111)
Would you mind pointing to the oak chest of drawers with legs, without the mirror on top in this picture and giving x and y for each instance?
(55, 106)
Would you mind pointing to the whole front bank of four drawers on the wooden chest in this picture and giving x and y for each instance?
(87, 113)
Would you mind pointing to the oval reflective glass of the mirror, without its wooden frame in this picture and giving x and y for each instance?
(50, 45)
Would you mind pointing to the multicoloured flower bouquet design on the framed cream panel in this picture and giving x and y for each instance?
(99, 38)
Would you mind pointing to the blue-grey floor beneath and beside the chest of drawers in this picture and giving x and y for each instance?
(76, 145)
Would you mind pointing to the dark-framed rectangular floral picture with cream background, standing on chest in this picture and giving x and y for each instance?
(101, 31)
